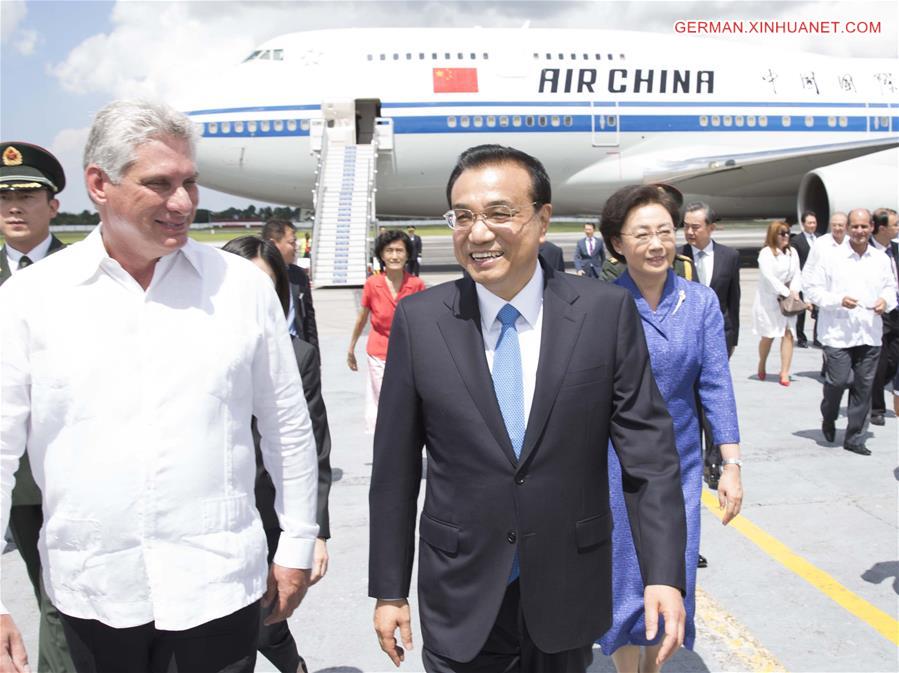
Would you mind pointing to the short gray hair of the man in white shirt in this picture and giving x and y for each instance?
(123, 125)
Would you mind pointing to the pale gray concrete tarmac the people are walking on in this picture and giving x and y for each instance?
(805, 579)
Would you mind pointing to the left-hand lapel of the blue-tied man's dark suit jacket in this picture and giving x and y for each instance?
(461, 330)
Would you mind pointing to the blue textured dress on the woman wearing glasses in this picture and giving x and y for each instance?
(685, 337)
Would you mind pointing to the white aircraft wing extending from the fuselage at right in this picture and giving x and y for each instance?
(731, 174)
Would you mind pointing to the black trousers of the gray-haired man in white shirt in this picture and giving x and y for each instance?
(224, 645)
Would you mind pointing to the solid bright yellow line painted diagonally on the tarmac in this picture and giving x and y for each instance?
(877, 619)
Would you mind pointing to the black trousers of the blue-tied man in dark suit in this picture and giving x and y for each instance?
(509, 648)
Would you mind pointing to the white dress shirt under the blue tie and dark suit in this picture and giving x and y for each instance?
(529, 302)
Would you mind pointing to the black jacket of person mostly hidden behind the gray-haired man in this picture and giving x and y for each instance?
(310, 372)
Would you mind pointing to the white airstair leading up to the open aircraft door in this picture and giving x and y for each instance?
(344, 212)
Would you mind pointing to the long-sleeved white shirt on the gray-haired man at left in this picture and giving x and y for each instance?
(135, 408)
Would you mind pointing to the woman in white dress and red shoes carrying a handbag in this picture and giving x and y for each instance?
(779, 277)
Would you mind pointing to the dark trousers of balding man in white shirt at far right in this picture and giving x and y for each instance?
(851, 368)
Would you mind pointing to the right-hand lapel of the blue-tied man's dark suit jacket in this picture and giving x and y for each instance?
(561, 327)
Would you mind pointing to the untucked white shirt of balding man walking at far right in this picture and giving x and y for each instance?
(865, 277)
